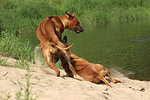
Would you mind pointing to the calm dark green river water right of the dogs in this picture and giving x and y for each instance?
(121, 46)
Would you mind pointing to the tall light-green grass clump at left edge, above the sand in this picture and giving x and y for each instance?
(10, 45)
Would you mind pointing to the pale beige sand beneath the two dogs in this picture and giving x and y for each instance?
(48, 87)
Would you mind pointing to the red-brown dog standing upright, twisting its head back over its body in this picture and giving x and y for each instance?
(49, 33)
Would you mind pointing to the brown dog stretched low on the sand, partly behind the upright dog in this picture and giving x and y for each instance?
(88, 71)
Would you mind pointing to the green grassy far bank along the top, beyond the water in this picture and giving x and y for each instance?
(25, 15)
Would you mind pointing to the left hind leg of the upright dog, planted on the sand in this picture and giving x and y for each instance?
(48, 57)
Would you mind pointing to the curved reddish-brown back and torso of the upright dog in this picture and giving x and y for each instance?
(48, 29)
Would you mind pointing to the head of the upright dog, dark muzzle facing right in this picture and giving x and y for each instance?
(74, 24)
